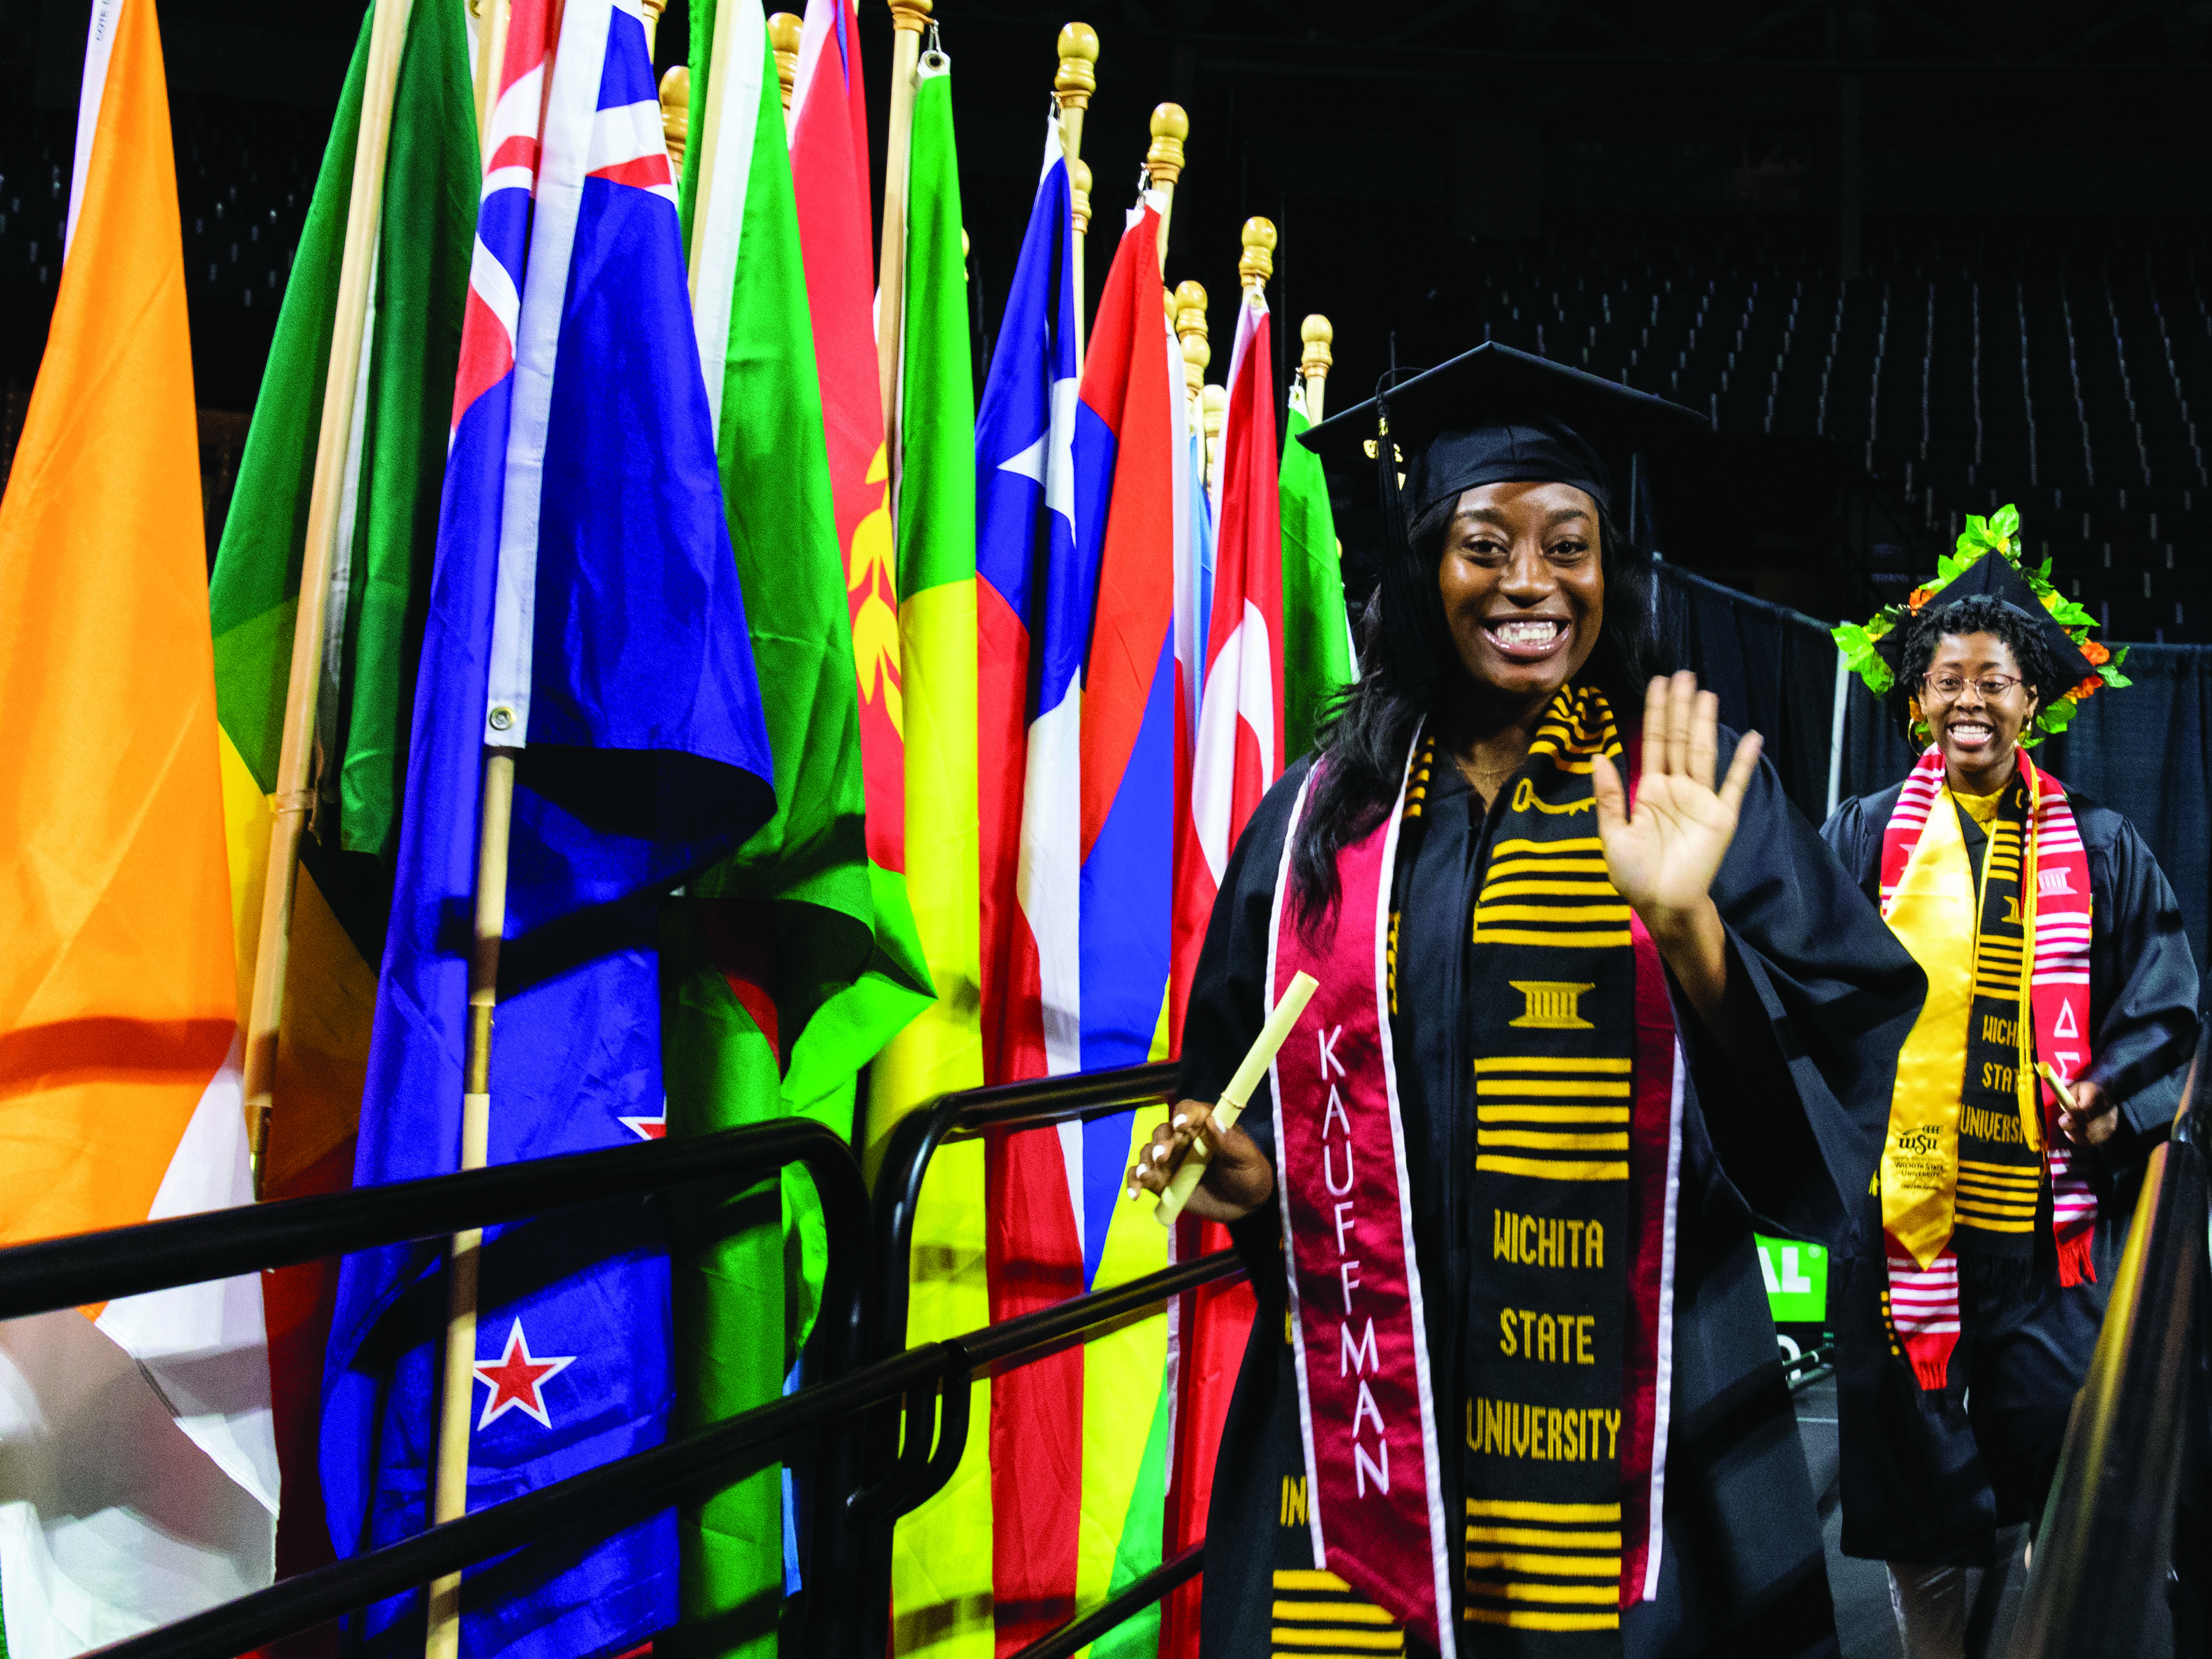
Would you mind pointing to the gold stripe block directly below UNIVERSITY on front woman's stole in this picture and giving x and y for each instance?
(1543, 1567)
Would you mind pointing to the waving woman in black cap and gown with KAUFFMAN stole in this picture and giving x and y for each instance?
(1514, 618)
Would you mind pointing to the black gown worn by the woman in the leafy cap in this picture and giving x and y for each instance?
(1921, 1481)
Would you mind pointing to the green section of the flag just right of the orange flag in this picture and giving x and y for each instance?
(404, 406)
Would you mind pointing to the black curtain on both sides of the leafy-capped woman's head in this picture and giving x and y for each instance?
(2145, 751)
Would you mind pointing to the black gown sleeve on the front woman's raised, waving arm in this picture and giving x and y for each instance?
(1830, 997)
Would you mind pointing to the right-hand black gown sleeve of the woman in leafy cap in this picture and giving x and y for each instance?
(2145, 979)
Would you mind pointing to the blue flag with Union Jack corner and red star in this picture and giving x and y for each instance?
(587, 616)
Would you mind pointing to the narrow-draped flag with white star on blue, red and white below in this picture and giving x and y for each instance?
(1034, 596)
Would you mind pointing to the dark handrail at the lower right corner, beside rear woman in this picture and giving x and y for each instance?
(2100, 1561)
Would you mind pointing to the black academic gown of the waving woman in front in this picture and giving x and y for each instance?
(1784, 1134)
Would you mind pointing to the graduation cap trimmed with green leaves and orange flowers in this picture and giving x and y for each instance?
(1990, 561)
